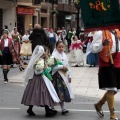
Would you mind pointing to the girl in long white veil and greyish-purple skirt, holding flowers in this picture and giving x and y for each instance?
(39, 90)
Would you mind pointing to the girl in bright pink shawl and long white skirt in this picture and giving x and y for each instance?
(76, 54)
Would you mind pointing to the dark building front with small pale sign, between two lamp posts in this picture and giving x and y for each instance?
(67, 14)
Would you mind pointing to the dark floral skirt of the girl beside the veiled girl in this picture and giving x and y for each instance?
(61, 88)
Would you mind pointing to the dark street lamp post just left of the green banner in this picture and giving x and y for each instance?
(77, 5)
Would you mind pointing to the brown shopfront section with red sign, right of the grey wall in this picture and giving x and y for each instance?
(40, 13)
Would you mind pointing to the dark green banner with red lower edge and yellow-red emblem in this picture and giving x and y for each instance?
(100, 14)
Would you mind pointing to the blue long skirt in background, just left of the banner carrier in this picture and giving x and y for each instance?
(92, 59)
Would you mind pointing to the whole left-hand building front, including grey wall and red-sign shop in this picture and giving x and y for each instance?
(25, 13)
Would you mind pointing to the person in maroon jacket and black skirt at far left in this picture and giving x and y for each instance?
(7, 54)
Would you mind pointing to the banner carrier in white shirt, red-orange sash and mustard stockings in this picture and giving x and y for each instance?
(109, 75)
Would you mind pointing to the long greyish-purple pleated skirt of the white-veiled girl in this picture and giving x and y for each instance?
(36, 93)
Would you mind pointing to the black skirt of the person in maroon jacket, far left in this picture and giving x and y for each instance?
(6, 59)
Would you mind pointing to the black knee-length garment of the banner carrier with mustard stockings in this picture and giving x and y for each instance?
(109, 78)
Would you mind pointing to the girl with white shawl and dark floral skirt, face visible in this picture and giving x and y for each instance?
(62, 77)
